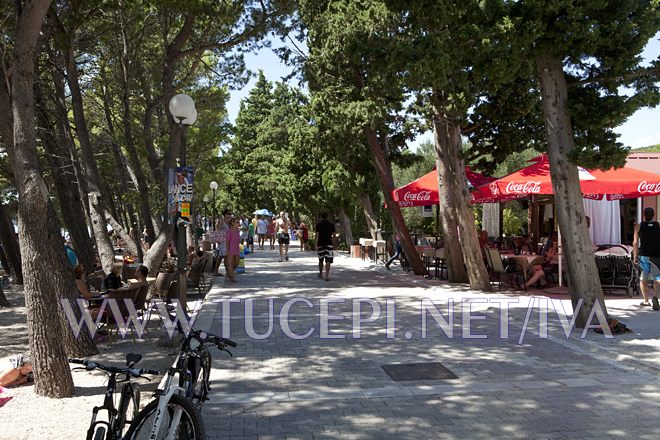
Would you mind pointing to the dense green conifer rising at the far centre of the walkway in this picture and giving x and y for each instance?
(274, 161)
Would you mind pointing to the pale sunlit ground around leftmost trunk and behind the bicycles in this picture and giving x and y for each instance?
(28, 416)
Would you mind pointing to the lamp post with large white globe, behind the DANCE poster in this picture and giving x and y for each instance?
(182, 108)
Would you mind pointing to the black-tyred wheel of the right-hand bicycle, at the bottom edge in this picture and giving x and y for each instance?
(191, 426)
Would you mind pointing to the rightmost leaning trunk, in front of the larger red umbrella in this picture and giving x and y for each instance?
(583, 280)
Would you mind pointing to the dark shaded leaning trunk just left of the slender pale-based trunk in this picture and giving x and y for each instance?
(64, 177)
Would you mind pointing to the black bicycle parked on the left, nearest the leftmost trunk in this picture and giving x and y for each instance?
(129, 401)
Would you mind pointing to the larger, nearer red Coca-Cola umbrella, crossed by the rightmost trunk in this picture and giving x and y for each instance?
(619, 183)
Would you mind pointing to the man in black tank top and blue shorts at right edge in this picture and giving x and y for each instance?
(646, 251)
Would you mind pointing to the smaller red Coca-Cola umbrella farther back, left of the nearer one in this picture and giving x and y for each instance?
(424, 191)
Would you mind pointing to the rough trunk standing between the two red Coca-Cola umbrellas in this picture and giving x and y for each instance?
(454, 197)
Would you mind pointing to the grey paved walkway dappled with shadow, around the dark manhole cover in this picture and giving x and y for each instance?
(321, 388)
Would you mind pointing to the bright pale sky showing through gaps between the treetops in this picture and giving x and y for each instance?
(642, 128)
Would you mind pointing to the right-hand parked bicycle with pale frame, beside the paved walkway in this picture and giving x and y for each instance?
(175, 411)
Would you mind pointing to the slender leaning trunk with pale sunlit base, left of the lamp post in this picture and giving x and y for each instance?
(96, 202)
